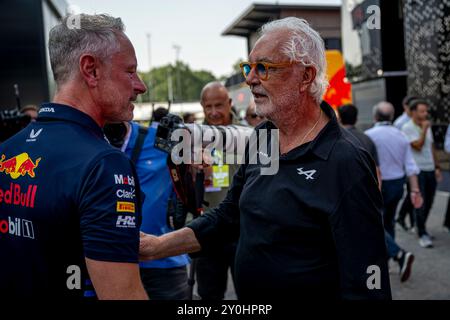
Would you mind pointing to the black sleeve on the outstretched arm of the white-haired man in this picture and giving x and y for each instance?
(220, 225)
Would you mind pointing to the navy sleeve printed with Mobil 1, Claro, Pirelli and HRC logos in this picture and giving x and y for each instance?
(110, 211)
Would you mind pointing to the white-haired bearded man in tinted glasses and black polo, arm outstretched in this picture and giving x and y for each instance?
(314, 229)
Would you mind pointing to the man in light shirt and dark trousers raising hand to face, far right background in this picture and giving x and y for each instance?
(418, 132)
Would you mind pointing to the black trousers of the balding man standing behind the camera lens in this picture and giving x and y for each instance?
(212, 273)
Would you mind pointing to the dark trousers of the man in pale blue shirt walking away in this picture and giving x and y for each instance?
(392, 191)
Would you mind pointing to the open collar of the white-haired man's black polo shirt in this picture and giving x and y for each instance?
(322, 145)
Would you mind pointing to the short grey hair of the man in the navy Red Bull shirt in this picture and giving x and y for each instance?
(96, 35)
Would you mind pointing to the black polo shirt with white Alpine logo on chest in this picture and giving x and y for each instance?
(313, 230)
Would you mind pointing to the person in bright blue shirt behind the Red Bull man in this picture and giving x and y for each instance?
(163, 279)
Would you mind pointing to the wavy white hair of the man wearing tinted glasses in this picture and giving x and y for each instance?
(306, 46)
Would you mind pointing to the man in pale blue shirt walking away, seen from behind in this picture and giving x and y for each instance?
(395, 161)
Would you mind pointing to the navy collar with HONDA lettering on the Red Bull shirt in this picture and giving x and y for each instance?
(56, 111)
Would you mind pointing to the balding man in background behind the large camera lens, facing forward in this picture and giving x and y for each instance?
(212, 270)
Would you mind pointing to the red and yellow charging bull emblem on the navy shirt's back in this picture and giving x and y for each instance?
(19, 166)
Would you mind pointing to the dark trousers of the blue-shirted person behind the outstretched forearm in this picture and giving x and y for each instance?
(165, 284)
